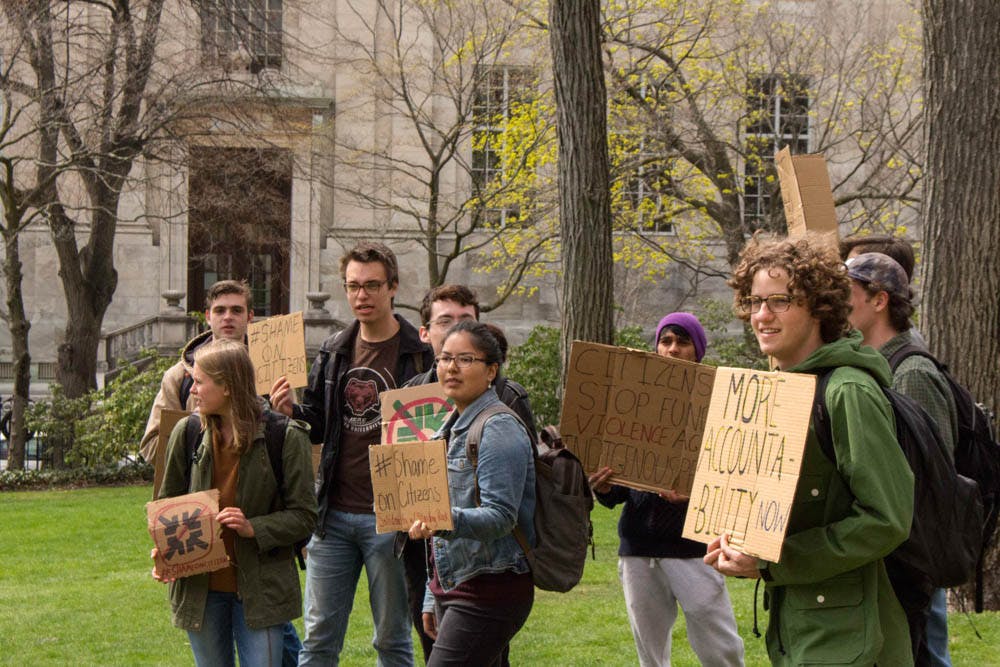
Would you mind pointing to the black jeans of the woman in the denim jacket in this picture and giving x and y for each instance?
(469, 634)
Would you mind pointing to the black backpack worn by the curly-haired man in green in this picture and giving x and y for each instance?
(945, 539)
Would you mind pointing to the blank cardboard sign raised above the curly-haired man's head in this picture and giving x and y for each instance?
(806, 194)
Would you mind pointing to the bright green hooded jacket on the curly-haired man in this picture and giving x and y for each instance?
(830, 600)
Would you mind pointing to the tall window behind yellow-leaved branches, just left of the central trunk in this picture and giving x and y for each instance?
(498, 89)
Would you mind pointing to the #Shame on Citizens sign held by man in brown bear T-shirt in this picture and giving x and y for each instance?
(278, 347)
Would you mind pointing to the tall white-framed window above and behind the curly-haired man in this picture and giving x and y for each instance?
(777, 116)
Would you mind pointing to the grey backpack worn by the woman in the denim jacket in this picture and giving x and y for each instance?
(563, 501)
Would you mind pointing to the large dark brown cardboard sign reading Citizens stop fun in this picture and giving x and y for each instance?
(637, 412)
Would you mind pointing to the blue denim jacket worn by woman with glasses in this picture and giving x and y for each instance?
(481, 540)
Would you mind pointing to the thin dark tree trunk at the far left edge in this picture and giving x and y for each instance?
(19, 327)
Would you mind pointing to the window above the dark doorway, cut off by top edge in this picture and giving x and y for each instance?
(241, 33)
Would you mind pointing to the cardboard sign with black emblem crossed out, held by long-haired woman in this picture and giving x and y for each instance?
(187, 535)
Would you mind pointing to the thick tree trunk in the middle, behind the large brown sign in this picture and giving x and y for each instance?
(584, 200)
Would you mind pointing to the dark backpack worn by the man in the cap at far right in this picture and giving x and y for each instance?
(977, 453)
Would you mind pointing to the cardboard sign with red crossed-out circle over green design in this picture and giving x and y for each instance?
(414, 414)
